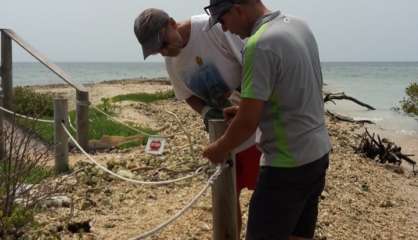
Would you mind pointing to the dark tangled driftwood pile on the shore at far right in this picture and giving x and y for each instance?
(382, 150)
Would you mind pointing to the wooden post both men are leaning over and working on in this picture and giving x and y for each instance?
(224, 194)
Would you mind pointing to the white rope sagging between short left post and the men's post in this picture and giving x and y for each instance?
(197, 172)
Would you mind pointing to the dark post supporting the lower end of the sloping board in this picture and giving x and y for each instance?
(83, 103)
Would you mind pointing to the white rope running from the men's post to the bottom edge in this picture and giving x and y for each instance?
(211, 180)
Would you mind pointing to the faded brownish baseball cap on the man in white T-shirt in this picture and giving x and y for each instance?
(147, 30)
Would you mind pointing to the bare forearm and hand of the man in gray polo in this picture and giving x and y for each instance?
(241, 128)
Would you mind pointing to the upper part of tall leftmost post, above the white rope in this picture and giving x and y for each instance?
(7, 69)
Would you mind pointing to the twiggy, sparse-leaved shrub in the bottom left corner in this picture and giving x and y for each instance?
(23, 167)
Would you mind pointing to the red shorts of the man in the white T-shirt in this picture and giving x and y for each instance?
(247, 164)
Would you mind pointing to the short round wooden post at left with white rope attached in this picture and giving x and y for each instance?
(60, 136)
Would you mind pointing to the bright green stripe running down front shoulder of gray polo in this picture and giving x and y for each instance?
(247, 86)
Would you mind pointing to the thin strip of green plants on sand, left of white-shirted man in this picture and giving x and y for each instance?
(145, 97)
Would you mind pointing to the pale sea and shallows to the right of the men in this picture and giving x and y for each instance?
(381, 85)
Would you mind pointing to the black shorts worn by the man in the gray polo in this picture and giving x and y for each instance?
(285, 202)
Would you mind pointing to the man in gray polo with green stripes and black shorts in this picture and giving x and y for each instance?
(282, 96)
